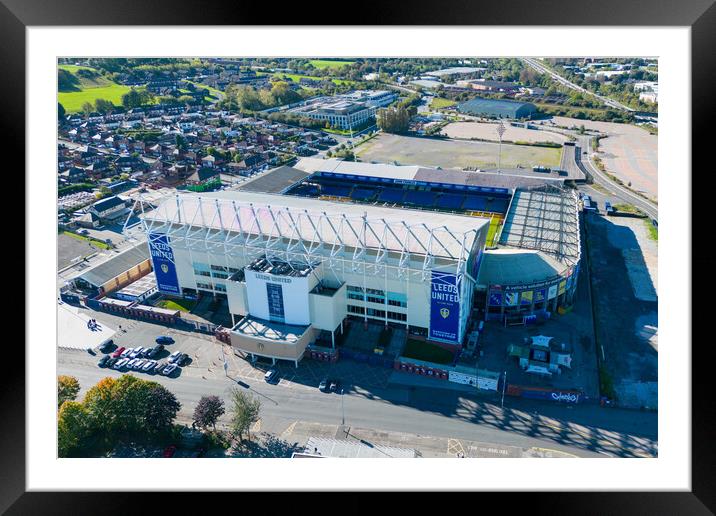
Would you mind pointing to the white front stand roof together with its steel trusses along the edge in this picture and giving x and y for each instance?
(293, 235)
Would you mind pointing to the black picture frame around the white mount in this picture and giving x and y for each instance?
(700, 15)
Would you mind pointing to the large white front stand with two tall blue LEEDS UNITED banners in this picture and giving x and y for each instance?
(291, 267)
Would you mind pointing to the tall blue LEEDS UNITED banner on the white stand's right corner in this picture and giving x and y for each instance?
(445, 306)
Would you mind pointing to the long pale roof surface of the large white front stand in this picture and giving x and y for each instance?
(308, 224)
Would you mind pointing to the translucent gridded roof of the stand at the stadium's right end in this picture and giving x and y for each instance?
(544, 219)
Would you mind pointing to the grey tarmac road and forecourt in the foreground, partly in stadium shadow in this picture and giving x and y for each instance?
(370, 402)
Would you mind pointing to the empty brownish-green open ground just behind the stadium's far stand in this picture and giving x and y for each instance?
(428, 152)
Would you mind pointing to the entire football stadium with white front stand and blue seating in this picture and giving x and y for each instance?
(298, 251)
